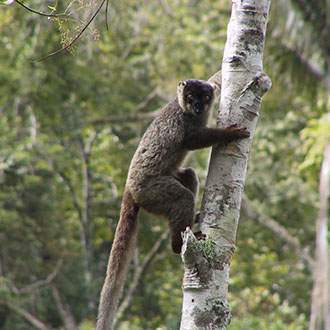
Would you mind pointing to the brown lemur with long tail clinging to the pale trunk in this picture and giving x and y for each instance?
(157, 183)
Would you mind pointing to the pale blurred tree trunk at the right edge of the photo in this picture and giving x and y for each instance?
(320, 308)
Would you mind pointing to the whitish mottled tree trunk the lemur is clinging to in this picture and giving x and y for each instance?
(206, 262)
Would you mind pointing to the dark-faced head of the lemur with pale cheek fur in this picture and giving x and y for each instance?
(195, 96)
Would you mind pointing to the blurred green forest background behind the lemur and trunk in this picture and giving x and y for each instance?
(69, 126)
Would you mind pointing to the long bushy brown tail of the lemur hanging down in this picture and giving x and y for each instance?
(120, 257)
